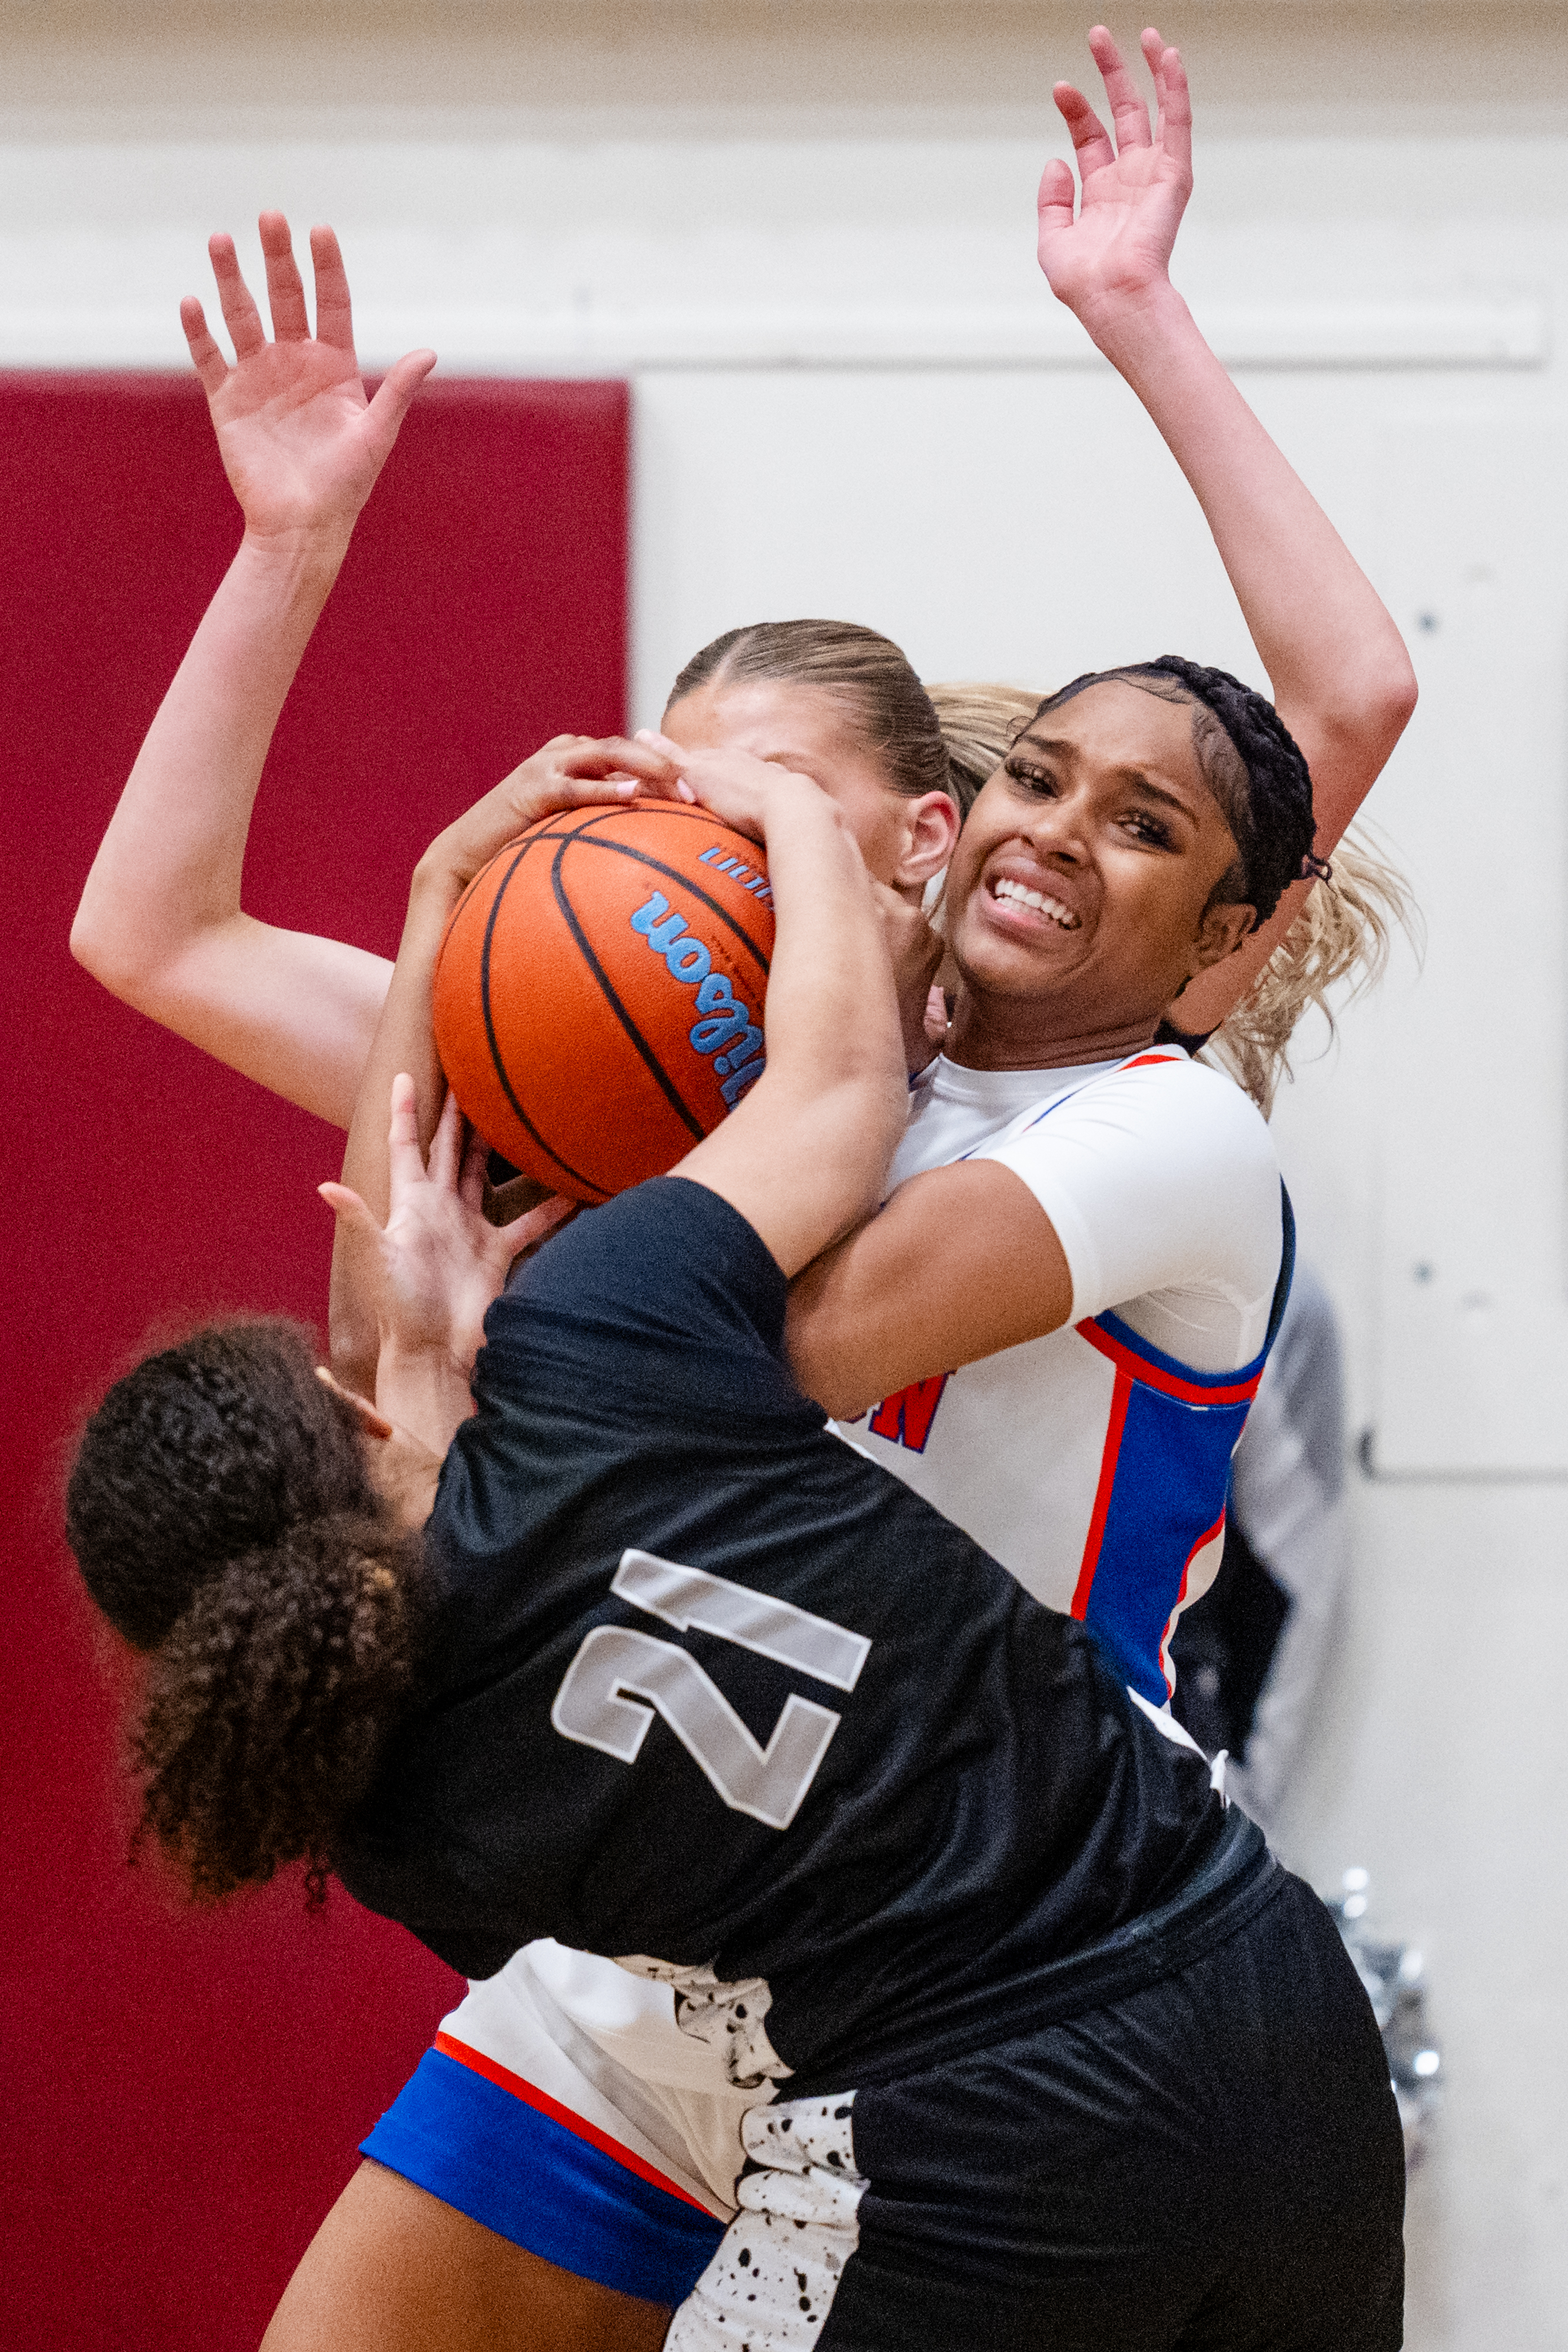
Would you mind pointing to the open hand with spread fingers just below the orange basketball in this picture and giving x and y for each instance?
(441, 1264)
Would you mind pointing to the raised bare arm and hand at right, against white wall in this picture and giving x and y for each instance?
(1336, 664)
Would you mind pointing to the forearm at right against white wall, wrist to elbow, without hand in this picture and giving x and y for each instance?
(1336, 664)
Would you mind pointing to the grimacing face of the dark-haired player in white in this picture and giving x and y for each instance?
(1087, 864)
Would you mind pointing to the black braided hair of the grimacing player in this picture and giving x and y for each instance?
(1252, 766)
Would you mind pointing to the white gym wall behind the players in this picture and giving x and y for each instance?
(808, 236)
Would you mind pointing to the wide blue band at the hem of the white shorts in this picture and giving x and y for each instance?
(535, 2181)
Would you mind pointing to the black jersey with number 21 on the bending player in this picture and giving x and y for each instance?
(713, 1690)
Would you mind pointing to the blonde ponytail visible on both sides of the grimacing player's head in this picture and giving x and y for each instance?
(1341, 935)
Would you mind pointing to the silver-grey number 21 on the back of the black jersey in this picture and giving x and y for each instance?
(622, 1678)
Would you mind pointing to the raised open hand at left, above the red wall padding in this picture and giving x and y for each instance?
(300, 441)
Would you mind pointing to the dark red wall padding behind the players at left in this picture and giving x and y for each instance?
(182, 2094)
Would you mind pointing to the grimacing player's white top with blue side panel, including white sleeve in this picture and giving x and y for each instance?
(1094, 1462)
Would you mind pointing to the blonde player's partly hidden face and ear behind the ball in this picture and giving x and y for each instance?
(805, 730)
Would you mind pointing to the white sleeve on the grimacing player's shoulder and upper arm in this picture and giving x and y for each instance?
(1162, 1187)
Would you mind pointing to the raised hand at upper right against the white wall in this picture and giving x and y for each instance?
(1137, 189)
